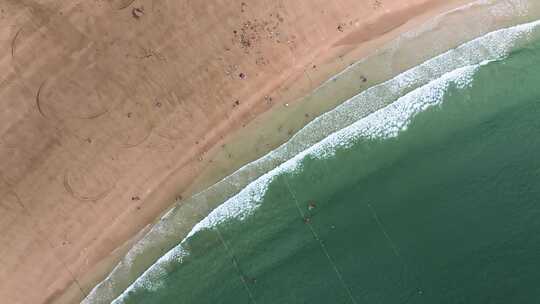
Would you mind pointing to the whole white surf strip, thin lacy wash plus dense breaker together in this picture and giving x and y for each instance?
(345, 123)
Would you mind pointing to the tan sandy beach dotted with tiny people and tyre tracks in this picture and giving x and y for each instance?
(111, 110)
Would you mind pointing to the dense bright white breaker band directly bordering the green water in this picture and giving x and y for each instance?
(384, 123)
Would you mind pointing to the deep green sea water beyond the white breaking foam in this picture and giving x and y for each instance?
(447, 211)
